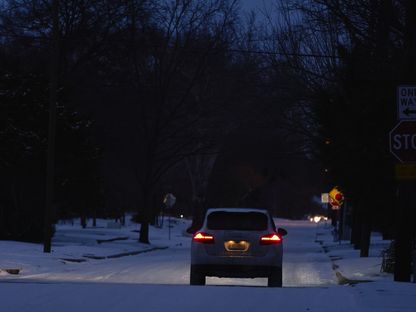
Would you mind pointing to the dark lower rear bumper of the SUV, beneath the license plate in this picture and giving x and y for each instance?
(242, 271)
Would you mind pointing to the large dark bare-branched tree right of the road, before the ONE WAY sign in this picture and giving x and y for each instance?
(348, 56)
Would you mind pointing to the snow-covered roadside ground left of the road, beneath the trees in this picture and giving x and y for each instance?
(74, 247)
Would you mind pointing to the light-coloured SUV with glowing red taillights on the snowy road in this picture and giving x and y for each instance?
(237, 242)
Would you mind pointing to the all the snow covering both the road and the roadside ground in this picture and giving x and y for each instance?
(158, 280)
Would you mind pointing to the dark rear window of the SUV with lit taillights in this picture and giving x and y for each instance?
(239, 221)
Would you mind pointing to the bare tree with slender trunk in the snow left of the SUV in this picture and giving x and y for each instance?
(169, 61)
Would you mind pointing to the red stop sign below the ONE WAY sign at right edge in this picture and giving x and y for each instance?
(403, 141)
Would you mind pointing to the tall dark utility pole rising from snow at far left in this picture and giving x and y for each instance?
(53, 97)
